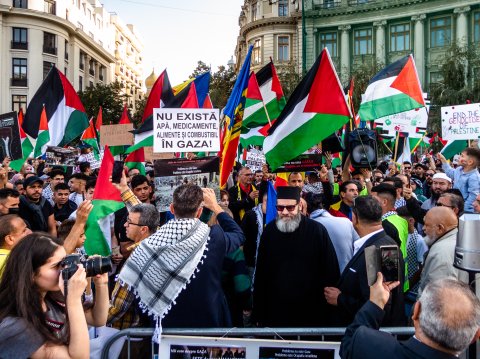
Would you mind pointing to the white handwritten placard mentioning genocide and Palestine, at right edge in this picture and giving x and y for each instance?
(461, 122)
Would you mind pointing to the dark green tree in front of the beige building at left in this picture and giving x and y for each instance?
(109, 97)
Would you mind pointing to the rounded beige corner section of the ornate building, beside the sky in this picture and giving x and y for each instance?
(272, 28)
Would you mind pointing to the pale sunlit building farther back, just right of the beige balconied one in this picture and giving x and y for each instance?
(128, 59)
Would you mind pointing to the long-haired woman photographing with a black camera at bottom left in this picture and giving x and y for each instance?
(36, 321)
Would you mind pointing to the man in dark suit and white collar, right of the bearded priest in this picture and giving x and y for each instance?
(352, 290)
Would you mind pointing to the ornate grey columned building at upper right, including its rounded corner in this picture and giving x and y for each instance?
(364, 31)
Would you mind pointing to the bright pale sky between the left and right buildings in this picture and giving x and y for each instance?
(177, 34)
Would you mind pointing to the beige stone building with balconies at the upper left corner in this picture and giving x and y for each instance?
(77, 36)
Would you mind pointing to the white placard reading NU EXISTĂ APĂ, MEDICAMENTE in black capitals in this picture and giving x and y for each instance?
(186, 130)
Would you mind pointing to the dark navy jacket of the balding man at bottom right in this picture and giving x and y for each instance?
(363, 340)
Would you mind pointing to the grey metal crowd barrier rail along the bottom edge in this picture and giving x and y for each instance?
(278, 333)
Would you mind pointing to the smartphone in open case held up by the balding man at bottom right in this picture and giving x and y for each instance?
(385, 259)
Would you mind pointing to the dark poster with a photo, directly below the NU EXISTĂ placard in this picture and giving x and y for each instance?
(171, 173)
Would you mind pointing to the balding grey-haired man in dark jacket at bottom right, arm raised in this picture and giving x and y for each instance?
(445, 318)
